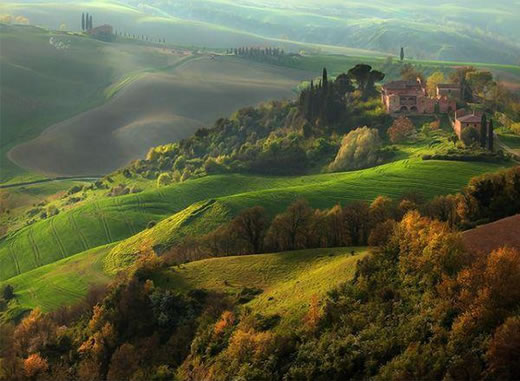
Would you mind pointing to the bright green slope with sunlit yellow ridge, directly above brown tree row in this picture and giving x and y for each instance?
(430, 178)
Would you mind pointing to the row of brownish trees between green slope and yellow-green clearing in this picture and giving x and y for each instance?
(486, 198)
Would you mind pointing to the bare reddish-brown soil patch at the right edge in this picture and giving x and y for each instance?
(486, 238)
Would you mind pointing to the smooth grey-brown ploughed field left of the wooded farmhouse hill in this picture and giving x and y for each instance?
(154, 109)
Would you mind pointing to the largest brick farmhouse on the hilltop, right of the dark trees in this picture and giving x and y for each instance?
(411, 97)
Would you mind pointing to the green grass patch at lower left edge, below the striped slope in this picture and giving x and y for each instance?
(61, 283)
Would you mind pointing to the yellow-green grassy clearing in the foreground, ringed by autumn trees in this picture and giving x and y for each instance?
(289, 280)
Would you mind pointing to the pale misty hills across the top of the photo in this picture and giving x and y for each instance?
(462, 30)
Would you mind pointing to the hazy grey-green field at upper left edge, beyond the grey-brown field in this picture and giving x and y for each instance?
(47, 77)
